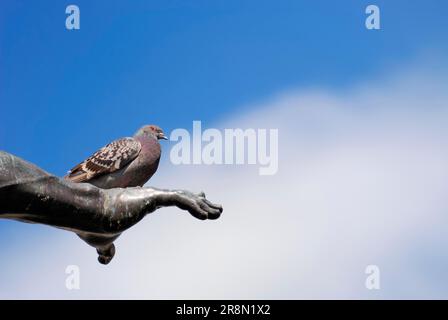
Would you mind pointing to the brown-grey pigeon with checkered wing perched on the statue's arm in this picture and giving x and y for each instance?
(126, 162)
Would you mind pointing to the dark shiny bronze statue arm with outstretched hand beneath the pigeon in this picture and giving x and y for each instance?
(98, 216)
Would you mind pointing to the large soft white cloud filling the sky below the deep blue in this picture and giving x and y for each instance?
(362, 180)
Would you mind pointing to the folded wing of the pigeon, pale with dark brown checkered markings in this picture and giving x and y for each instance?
(108, 159)
